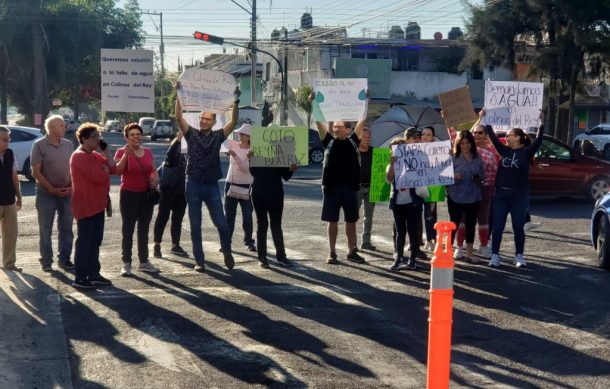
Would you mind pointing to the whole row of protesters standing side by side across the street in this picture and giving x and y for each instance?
(491, 181)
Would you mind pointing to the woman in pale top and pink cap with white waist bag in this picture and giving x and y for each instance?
(237, 186)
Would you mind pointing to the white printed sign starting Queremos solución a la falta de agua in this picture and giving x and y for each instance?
(127, 80)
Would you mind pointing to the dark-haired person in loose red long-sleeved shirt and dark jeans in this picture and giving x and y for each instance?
(90, 172)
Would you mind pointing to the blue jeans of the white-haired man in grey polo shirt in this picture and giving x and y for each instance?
(47, 205)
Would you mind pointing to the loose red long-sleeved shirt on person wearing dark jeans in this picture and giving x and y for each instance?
(90, 183)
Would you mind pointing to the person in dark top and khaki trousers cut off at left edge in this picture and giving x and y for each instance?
(10, 201)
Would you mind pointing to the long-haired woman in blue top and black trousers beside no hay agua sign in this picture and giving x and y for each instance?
(464, 196)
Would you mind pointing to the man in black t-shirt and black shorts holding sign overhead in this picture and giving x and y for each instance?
(340, 183)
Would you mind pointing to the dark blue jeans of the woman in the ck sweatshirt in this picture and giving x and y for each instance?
(516, 203)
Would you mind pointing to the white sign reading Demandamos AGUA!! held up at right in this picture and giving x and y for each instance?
(510, 104)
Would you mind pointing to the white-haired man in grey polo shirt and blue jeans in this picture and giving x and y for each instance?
(50, 159)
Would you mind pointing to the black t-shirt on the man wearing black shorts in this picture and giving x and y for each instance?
(341, 162)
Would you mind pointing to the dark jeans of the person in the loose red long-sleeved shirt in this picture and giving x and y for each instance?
(87, 249)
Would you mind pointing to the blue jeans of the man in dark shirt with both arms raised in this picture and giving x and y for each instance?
(207, 193)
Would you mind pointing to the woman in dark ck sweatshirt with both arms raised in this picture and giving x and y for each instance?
(512, 187)
